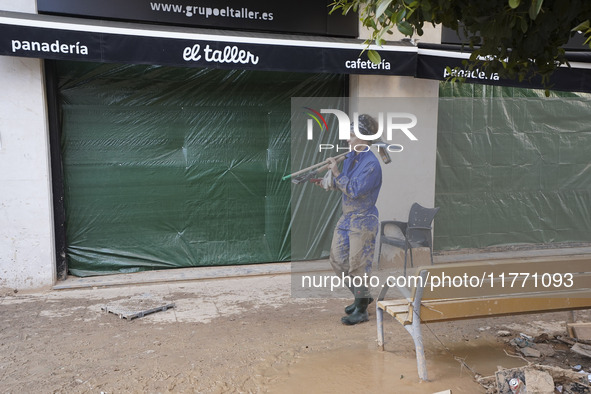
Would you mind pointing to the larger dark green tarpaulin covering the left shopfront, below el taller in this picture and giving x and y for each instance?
(168, 167)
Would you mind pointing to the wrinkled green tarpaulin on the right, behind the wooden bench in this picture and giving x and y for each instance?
(513, 166)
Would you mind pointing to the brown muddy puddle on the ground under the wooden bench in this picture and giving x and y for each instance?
(366, 370)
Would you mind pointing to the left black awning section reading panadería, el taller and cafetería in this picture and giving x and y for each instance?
(51, 37)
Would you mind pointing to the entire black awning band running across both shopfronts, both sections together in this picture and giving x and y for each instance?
(60, 38)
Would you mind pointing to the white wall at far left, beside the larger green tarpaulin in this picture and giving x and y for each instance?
(26, 223)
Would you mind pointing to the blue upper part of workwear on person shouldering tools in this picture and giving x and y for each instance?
(360, 181)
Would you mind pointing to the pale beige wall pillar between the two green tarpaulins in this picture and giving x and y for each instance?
(410, 177)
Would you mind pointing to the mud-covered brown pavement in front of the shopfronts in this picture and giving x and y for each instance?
(240, 335)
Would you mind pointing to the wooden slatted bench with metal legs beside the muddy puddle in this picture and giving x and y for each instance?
(543, 284)
